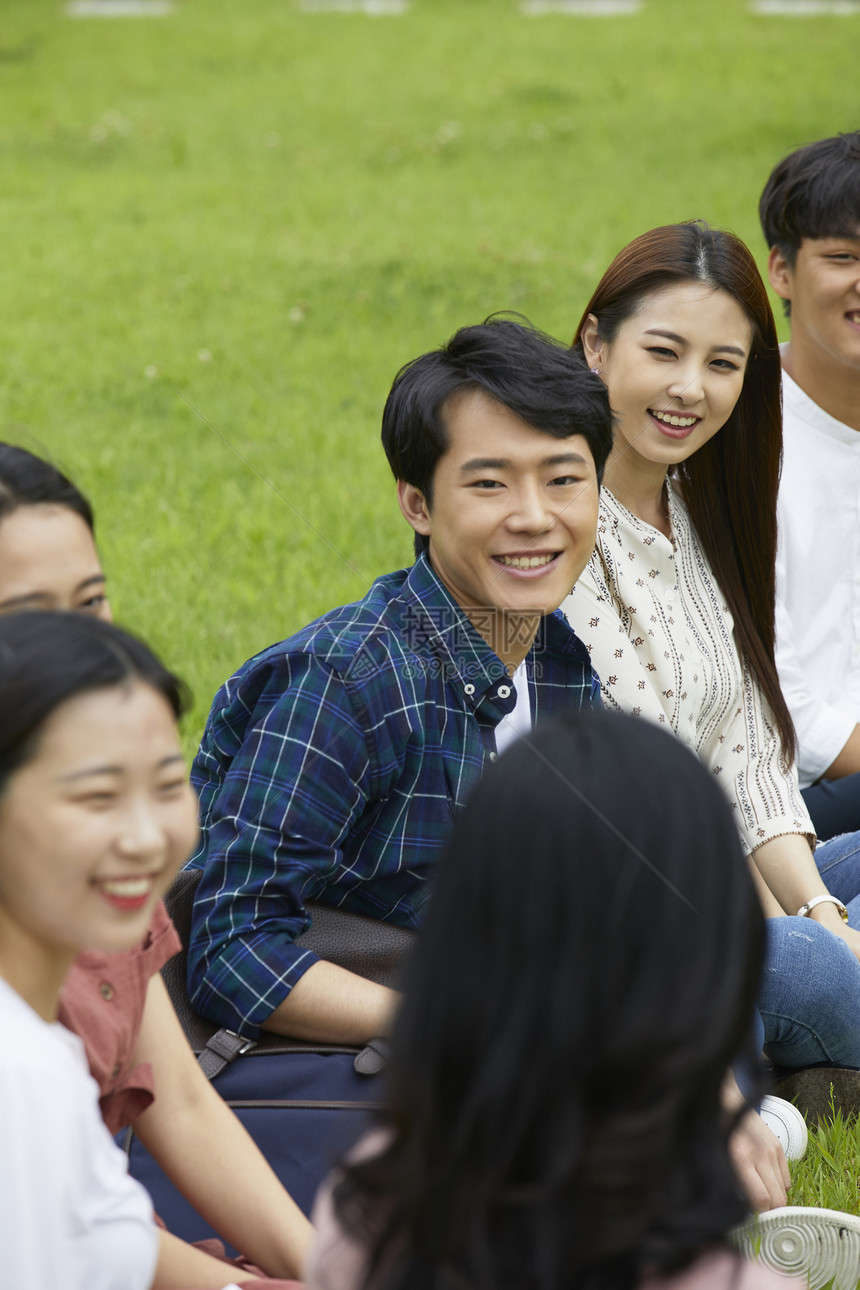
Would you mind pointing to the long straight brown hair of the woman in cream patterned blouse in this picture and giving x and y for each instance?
(730, 484)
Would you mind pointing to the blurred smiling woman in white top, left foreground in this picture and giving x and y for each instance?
(96, 819)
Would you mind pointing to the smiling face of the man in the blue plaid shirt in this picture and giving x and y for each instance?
(514, 511)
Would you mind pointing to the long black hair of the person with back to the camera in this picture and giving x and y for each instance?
(583, 982)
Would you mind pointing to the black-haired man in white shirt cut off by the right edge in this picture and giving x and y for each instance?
(810, 213)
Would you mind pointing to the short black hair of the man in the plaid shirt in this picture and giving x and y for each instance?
(514, 363)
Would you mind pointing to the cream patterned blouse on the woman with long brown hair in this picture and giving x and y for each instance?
(662, 640)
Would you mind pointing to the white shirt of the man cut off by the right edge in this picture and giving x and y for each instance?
(818, 580)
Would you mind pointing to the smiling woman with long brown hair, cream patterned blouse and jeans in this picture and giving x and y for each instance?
(676, 606)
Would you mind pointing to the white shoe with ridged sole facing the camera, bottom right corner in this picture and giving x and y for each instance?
(821, 1245)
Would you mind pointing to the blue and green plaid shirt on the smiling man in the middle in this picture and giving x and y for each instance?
(331, 769)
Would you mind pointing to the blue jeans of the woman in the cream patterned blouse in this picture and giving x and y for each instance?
(810, 994)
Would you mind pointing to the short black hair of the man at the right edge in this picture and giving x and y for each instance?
(813, 193)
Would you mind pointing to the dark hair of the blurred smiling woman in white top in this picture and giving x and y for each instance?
(48, 657)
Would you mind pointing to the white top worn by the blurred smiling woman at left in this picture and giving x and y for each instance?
(70, 1216)
